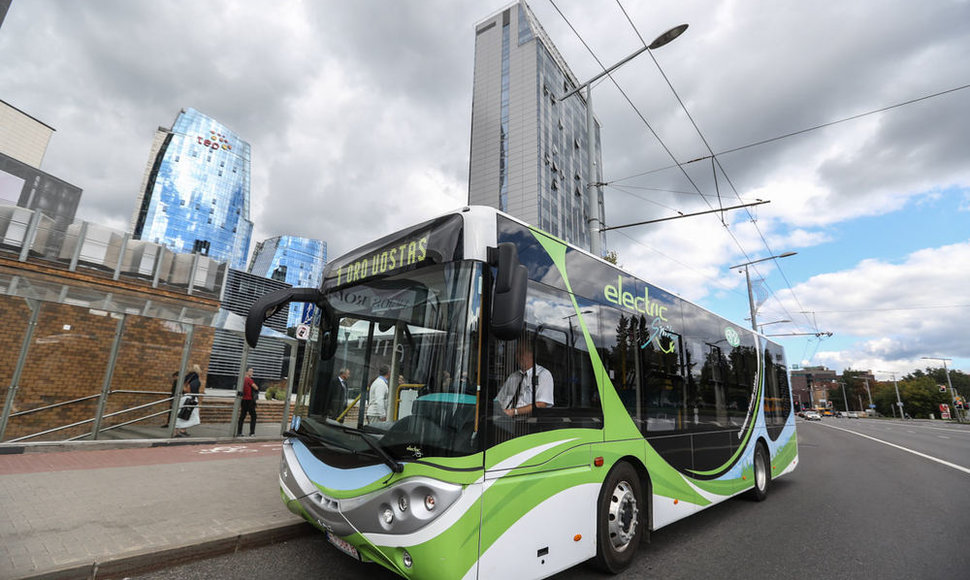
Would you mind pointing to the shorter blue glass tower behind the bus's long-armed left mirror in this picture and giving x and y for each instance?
(297, 261)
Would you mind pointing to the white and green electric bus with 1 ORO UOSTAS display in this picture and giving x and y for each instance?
(420, 444)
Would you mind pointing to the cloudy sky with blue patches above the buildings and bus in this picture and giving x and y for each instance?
(359, 118)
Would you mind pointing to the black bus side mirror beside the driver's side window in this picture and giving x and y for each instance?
(508, 301)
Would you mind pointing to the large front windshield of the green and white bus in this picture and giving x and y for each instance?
(402, 370)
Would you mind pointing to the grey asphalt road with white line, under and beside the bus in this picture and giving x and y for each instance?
(855, 508)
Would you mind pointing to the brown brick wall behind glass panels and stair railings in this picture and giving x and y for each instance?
(68, 359)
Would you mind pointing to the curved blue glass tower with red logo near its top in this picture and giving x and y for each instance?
(195, 194)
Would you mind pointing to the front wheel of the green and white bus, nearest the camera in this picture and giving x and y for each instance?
(619, 524)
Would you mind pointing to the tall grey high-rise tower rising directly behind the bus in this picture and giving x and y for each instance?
(528, 148)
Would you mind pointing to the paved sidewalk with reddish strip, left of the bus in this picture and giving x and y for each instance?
(106, 509)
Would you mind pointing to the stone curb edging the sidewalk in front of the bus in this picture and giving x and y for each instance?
(123, 566)
